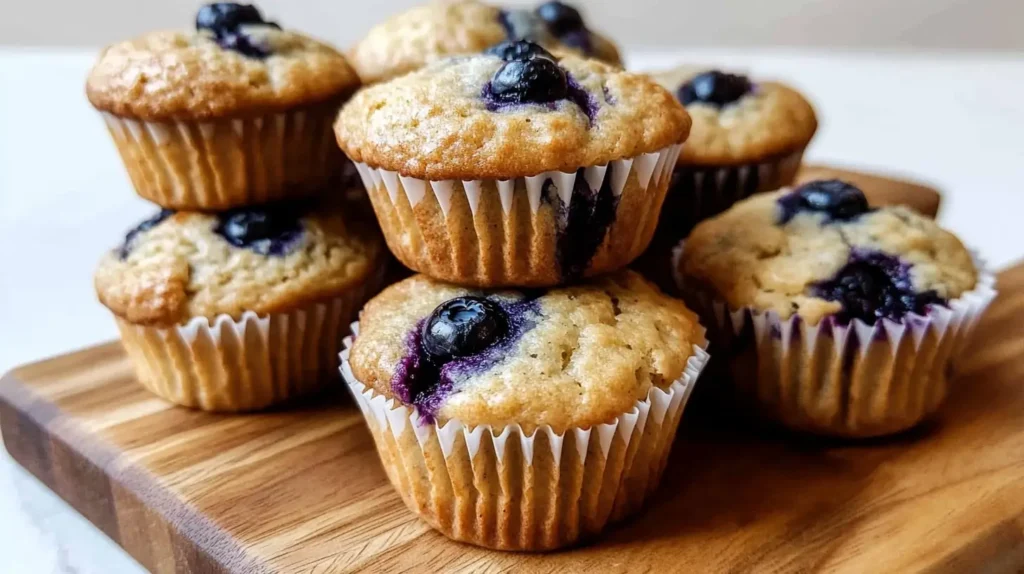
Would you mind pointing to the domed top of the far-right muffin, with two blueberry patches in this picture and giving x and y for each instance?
(820, 251)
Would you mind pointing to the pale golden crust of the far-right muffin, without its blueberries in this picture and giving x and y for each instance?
(746, 258)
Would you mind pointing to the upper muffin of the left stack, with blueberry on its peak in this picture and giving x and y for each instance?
(237, 113)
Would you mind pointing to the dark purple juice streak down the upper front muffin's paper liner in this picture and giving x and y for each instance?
(583, 227)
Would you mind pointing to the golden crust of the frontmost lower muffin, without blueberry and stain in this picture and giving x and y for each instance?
(593, 350)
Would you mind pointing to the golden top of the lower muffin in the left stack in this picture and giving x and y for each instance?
(268, 259)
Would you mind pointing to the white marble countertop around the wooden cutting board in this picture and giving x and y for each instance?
(952, 120)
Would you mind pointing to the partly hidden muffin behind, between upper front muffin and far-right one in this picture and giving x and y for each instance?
(748, 137)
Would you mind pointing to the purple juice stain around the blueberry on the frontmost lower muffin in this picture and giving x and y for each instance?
(425, 383)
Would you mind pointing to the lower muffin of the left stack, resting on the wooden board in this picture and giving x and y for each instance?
(241, 311)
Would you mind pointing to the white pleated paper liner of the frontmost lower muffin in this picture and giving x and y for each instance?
(509, 490)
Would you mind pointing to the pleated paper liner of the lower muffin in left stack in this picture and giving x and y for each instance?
(249, 364)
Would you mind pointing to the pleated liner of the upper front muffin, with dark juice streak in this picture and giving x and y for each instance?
(509, 233)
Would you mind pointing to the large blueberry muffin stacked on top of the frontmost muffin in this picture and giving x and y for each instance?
(515, 167)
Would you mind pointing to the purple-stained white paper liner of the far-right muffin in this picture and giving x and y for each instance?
(850, 381)
